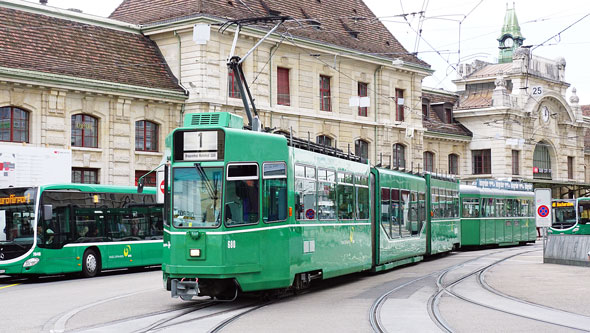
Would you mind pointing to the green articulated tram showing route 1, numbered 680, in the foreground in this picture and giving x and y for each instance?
(250, 211)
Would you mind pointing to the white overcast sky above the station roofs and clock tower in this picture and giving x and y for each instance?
(480, 23)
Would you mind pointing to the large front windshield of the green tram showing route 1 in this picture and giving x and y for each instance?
(197, 197)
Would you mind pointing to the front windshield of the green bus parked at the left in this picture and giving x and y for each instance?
(17, 221)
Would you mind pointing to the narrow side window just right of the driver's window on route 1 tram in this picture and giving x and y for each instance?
(275, 191)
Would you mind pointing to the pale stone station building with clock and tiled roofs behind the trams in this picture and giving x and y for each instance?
(336, 76)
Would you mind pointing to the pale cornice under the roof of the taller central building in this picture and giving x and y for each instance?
(186, 24)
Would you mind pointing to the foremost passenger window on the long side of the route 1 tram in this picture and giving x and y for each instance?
(305, 192)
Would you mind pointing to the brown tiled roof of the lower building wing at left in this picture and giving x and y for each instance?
(37, 42)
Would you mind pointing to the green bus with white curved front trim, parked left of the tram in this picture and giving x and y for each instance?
(65, 228)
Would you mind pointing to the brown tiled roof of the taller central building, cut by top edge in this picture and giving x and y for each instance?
(346, 23)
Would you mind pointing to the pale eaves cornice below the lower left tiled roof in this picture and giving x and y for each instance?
(80, 84)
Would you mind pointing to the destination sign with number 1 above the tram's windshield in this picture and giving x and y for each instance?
(198, 145)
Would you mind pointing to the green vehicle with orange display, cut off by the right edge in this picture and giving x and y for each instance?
(571, 216)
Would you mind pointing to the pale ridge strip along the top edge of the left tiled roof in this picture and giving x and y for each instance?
(71, 15)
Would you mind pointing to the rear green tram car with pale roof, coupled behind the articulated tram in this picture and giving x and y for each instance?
(496, 216)
